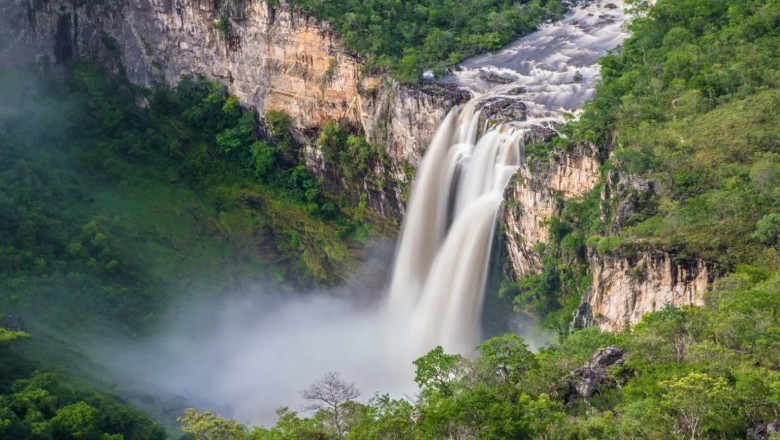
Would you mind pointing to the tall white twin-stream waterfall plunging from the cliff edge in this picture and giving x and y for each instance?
(442, 260)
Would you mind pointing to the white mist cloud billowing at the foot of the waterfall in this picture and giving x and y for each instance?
(246, 356)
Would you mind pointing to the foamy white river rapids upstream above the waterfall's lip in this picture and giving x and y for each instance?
(545, 62)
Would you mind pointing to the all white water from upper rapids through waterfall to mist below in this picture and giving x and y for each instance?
(258, 355)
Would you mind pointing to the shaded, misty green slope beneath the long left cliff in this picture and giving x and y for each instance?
(115, 194)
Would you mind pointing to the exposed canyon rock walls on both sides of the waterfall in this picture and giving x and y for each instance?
(273, 57)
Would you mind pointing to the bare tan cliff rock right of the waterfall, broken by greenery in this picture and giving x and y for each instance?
(623, 288)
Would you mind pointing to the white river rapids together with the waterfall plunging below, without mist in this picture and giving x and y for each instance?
(441, 262)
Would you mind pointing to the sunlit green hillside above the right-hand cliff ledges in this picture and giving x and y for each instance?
(690, 103)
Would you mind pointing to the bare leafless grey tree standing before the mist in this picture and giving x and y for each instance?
(331, 395)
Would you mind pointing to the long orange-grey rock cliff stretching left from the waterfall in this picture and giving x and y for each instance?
(270, 57)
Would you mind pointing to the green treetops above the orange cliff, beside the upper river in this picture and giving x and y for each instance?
(408, 36)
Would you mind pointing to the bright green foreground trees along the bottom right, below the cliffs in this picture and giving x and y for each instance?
(705, 373)
